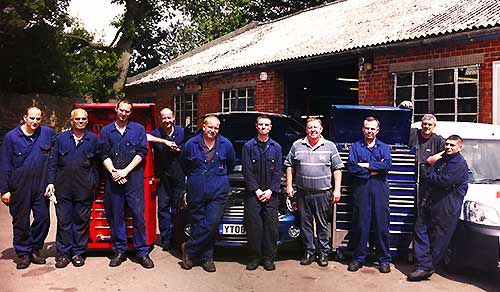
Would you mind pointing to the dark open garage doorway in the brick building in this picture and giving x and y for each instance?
(312, 91)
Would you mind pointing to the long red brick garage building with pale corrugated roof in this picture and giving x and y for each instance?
(444, 55)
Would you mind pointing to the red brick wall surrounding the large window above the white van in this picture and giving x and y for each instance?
(376, 87)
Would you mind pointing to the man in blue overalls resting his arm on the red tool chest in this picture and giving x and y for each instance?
(168, 140)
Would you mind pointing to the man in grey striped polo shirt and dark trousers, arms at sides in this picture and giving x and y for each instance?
(314, 161)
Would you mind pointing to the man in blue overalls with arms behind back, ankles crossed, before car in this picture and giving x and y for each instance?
(207, 159)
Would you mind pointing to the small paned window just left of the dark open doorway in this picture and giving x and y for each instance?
(241, 99)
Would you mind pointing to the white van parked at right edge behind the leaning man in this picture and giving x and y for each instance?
(476, 243)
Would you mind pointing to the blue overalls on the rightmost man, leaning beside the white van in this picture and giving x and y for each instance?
(446, 184)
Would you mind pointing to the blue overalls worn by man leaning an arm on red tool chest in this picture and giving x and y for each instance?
(172, 180)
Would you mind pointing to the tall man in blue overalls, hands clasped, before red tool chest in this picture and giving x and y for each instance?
(123, 148)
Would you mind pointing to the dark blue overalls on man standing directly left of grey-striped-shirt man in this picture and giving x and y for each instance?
(262, 169)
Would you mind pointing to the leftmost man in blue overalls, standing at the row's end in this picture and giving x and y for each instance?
(24, 163)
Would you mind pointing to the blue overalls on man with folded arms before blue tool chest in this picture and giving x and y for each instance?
(370, 199)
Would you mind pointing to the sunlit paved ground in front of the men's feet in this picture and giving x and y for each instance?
(230, 276)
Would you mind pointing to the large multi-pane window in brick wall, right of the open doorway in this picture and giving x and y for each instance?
(450, 94)
